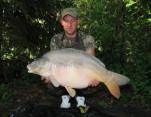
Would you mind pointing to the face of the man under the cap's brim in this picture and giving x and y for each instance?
(69, 24)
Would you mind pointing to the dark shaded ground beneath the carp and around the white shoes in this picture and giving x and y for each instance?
(42, 100)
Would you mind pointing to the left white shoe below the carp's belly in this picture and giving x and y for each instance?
(65, 102)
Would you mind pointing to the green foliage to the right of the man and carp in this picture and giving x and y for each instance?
(122, 33)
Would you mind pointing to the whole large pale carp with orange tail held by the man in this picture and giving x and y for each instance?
(73, 68)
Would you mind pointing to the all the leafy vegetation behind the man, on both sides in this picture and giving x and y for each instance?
(122, 31)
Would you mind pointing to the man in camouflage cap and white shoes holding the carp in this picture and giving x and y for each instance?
(73, 38)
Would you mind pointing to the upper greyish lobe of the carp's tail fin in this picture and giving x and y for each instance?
(120, 79)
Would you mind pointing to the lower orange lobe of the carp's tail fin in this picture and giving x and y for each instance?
(113, 87)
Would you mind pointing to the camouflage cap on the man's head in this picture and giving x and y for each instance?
(69, 11)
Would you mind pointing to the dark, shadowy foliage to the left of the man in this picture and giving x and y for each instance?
(27, 27)
